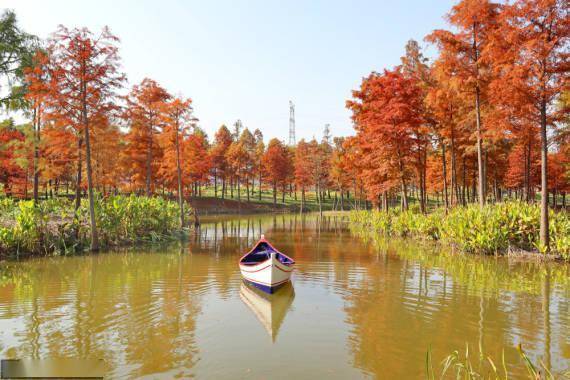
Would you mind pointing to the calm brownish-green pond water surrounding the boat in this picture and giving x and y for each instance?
(357, 308)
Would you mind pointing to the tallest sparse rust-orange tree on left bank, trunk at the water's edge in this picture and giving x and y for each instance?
(85, 78)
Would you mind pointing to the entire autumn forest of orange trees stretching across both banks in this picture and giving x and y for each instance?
(483, 122)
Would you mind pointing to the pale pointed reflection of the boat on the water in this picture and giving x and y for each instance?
(270, 309)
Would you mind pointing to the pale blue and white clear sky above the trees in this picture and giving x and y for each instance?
(246, 59)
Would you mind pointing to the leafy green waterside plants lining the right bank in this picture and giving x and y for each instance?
(492, 230)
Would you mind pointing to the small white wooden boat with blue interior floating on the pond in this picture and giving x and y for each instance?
(265, 267)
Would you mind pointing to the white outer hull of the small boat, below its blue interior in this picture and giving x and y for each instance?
(267, 275)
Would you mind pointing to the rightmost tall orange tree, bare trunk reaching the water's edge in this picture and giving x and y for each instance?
(534, 35)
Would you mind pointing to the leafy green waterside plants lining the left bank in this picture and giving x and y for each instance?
(54, 227)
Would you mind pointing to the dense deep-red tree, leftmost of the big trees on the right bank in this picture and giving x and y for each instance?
(386, 112)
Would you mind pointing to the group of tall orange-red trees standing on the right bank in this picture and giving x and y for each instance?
(488, 117)
